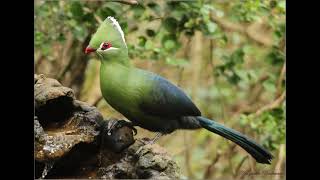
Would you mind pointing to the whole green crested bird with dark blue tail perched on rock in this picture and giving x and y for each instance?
(149, 100)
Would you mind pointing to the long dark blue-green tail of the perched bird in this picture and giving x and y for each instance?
(255, 150)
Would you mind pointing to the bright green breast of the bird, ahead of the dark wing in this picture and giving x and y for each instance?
(122, 87)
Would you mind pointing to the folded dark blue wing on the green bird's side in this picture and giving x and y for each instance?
(167, 100)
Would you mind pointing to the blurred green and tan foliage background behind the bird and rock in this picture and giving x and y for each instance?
(229, 56)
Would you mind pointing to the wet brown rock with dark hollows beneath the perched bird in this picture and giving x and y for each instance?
(73, 141)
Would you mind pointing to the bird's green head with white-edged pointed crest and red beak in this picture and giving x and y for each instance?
(108, 41)
